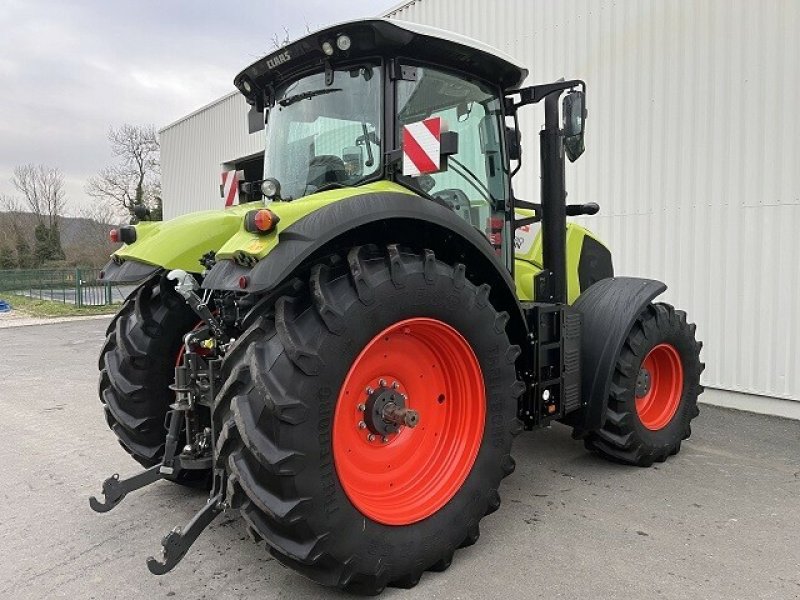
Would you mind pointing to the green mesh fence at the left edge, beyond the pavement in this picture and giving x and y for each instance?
(80, 286)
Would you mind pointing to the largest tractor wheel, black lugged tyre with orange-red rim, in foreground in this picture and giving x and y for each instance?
(342, 508)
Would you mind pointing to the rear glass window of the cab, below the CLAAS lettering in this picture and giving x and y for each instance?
(324, 136)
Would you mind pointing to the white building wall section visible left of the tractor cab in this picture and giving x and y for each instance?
(194, 149)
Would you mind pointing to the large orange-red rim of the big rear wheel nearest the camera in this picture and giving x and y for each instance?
(405, 474)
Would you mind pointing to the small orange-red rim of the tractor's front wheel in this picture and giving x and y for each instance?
(659, 387)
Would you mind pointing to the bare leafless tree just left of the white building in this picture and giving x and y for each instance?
(136, 178)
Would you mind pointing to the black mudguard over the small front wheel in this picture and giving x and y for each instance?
(609, 309)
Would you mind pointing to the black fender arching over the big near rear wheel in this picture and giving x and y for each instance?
(380, 218)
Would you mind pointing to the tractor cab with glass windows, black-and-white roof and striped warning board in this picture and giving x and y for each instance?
(386, 100)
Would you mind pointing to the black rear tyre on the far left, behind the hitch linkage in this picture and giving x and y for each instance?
(137, 366)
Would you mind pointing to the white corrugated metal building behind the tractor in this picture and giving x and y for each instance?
(692, 155)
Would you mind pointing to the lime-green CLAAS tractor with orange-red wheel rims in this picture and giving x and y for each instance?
(345, 357)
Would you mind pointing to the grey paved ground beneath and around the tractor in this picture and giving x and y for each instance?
(720, 520)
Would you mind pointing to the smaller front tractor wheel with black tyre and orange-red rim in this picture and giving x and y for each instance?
(654, 390)
